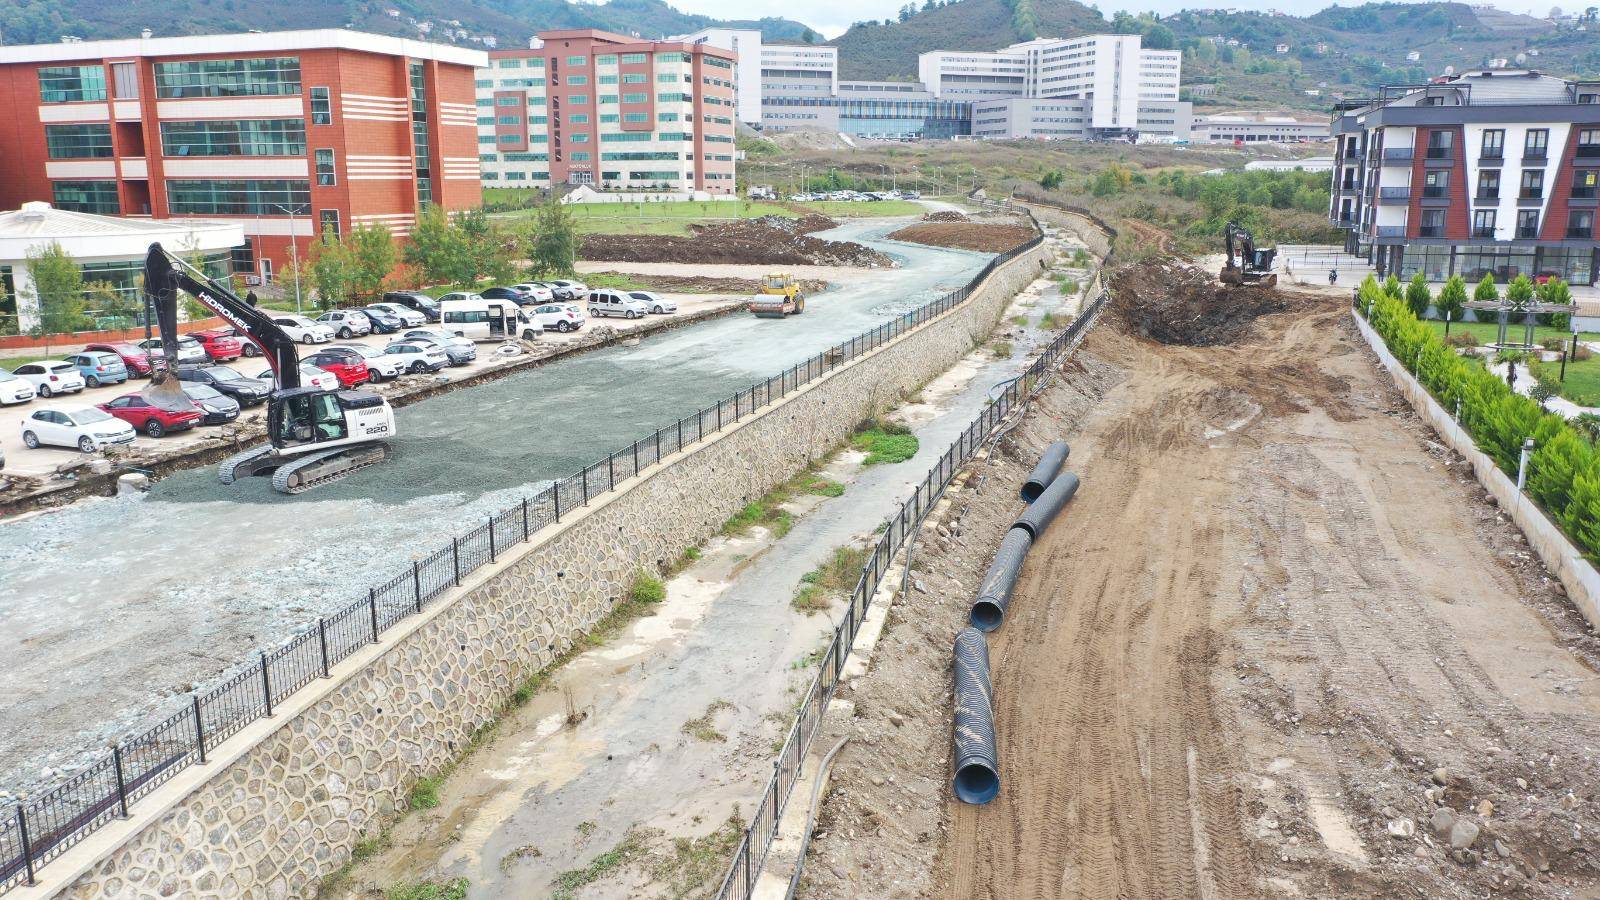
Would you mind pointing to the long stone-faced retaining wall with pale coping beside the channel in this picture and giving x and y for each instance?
(282, 803)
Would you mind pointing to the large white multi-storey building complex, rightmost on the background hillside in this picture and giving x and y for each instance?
(1090, 87)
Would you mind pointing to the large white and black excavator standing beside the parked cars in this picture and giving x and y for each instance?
(314, 436)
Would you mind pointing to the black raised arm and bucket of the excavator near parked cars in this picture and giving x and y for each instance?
(164, 278)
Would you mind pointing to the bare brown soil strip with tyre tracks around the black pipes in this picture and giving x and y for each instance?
(1279, 646)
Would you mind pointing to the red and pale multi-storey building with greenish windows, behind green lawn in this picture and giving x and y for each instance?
(610, 111)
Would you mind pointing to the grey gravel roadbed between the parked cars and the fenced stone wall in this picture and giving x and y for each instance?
(114, 605)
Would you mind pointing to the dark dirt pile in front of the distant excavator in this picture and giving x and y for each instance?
(1175, 303)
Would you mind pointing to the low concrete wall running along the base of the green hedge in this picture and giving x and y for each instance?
(1564, 561)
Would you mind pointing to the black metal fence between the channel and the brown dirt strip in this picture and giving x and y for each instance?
(748, 861)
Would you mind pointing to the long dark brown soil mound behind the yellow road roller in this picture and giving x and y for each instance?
(769, 241)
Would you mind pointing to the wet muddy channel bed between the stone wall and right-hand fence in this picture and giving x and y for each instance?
(726, 637)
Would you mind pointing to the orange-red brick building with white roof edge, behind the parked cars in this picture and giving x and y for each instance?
(286, 132)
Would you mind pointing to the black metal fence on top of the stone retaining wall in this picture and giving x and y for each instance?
(41, 829)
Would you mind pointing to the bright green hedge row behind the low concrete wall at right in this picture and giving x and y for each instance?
(1564, 472)
